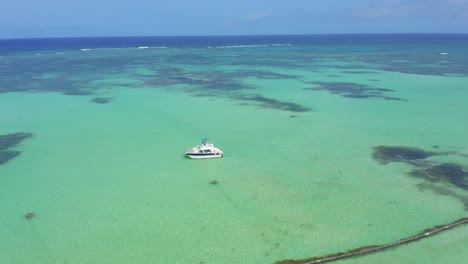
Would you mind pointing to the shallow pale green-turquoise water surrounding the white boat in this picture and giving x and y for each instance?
(108, 183)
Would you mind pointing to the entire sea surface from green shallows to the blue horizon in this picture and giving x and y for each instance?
(298, 122)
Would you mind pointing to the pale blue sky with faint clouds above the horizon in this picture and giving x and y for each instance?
(80, 18)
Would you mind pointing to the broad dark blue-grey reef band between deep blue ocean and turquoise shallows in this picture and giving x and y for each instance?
(51, 72)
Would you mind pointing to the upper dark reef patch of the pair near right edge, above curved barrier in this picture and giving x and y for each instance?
(387, 154)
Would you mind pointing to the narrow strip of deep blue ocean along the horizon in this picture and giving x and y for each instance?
(352, 41)
